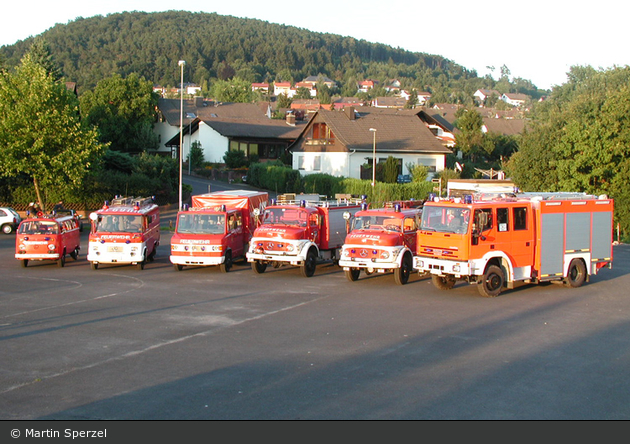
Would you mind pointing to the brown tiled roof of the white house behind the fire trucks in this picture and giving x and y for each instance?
(397, 131)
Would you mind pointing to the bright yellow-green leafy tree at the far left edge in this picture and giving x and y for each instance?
(41, 133)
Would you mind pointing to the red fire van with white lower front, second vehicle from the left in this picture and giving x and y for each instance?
(127, 231)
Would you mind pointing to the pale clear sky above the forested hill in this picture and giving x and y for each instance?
(537, 40)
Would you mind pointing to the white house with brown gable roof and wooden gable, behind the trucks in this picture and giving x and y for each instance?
(345, 143)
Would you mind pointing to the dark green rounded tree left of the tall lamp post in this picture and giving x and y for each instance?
(124, 112)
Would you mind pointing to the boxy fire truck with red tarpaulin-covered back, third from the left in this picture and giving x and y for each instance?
(217, 229)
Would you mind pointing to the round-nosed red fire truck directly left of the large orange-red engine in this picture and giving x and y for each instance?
(382, 240)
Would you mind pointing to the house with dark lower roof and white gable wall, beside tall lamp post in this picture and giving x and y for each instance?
(219, 127)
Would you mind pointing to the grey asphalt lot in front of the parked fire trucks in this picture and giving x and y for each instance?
(158, 344)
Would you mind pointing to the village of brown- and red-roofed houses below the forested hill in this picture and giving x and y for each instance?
(341, 138)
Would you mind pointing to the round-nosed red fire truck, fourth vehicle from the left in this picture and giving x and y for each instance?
(300, 233)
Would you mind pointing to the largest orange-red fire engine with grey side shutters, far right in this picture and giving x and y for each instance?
(499, 242)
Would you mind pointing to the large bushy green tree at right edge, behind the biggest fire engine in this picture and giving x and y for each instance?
(579, 139)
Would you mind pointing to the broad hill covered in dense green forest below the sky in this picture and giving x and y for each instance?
(216, 46)
